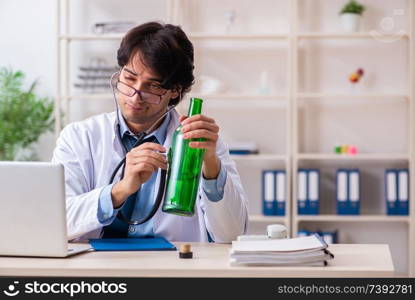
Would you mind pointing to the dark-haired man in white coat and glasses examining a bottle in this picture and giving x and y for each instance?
(156, 70)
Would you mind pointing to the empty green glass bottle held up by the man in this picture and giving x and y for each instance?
(185, 166)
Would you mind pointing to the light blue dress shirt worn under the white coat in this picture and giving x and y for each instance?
(214, 188)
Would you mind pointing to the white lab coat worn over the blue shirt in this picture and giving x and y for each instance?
(90, 150)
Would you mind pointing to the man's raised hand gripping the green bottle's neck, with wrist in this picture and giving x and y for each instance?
(200, 126)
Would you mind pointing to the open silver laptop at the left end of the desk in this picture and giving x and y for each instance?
(33, 211)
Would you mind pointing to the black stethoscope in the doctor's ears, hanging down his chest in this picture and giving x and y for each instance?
(140, 137)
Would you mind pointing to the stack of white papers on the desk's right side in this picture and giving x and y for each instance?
(301, 251)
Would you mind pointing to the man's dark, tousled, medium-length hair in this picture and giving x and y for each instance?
(166, 50)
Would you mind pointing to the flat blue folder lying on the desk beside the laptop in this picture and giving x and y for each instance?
(132, 244)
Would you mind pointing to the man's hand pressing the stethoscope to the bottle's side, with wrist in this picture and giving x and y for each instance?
(141, 163)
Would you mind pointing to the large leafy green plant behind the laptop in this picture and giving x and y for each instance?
(24, 116)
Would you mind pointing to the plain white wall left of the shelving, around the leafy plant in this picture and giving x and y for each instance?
(28, 35)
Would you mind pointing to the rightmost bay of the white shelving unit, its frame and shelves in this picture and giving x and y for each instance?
(403, 225)
